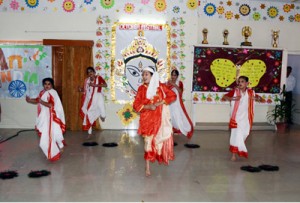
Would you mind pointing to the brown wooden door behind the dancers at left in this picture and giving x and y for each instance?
(70, 58)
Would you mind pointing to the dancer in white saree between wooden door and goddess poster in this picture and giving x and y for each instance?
(92, 100)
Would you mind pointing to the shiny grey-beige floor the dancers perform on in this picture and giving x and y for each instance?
(117, 174)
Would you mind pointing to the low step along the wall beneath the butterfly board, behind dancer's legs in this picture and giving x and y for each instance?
(224, 126)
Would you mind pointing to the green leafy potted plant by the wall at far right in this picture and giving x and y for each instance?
(279, 115)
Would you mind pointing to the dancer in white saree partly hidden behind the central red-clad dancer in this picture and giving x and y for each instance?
(180, 119)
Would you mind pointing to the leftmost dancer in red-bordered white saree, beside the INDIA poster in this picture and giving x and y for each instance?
(50, 122)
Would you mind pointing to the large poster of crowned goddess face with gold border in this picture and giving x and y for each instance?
(134, 47)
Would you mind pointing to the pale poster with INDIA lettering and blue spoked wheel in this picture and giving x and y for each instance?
(22, 69)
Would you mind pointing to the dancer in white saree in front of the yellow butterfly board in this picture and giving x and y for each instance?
(242, 113)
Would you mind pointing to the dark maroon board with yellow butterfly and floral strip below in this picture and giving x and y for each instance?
(216, 69)
